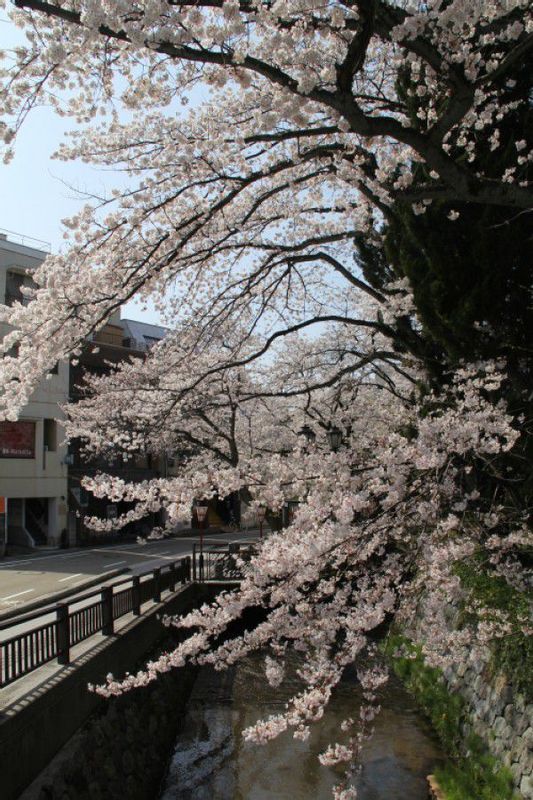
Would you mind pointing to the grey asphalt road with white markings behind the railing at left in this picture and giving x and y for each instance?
(26, 579)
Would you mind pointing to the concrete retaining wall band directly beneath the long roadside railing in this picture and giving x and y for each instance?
(53, 703)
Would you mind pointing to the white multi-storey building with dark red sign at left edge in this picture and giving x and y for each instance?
(33, 472)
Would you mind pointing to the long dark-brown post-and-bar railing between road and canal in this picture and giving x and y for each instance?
(28, 650)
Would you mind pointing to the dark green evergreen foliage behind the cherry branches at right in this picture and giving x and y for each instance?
(468, 266)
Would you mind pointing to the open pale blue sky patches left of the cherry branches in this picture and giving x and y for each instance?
(36, 192)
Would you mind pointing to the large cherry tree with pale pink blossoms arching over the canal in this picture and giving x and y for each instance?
(271, 149)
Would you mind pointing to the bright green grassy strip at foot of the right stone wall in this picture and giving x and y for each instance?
(472, 773)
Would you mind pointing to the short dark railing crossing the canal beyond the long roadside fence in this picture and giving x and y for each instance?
(220, 561)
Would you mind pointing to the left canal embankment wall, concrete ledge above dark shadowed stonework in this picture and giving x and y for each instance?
(124, 744)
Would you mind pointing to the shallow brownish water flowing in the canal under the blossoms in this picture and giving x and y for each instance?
(213, 762)
